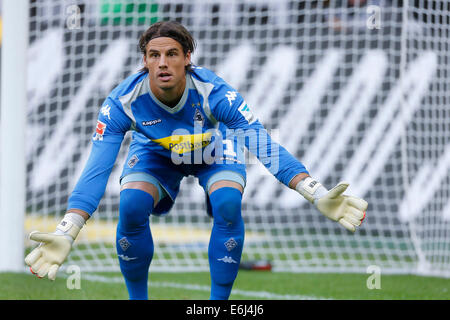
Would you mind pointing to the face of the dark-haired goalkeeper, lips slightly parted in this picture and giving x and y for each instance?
(166, 63)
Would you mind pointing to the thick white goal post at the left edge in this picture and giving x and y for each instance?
(12, 133)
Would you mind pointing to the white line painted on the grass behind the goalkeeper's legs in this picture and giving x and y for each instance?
(203, 288)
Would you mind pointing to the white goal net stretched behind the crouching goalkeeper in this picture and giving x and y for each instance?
(356, 90)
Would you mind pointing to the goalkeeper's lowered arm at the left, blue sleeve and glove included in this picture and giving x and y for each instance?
(54, 247)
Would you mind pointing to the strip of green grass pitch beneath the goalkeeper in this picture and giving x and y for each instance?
(250, 285)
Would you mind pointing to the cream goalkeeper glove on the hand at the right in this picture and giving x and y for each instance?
(349, 211)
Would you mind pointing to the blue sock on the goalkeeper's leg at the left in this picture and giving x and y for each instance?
(134, 241)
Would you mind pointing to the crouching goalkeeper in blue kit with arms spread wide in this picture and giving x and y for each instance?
(185, 121)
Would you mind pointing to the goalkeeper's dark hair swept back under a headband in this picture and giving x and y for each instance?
(170, 29)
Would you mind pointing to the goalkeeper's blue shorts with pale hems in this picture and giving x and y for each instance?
(144, 164)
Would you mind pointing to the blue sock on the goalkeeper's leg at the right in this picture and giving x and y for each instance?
(226, 242)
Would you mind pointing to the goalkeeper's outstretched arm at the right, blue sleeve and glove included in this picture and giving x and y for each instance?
(347, 210)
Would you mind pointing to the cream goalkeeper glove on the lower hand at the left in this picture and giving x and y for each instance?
(54, 247)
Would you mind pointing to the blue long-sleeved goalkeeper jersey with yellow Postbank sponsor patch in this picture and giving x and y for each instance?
(209, 110)
